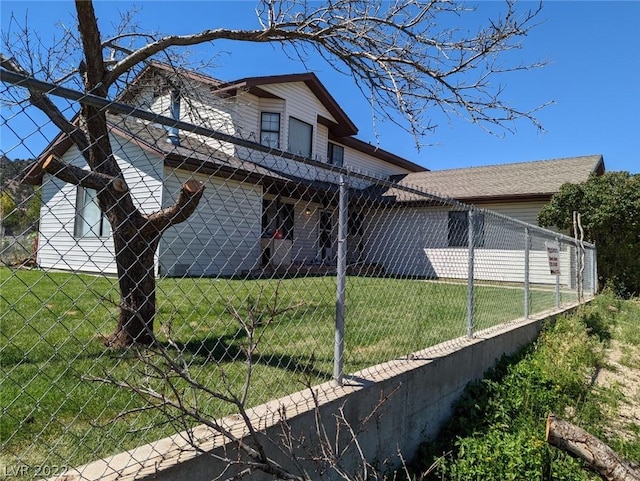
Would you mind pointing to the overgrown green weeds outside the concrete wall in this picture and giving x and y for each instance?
(498, 427)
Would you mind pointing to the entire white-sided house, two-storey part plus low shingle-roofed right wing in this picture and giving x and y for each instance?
(266, 207)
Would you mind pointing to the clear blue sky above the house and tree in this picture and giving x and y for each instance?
(592, 78)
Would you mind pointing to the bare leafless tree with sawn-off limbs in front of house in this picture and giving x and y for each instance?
(397, 53)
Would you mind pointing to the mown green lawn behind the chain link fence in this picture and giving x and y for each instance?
(53, 325)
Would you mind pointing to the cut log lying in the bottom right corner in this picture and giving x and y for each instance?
(598, 456)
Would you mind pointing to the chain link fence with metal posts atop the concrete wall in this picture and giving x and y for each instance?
(290, 272)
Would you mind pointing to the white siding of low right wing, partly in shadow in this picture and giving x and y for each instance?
(414, 242)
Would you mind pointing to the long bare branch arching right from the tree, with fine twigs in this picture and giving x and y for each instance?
(396, 52)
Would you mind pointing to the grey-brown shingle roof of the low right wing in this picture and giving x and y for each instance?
(521, 180)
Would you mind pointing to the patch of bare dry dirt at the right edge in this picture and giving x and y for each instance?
(622, 374)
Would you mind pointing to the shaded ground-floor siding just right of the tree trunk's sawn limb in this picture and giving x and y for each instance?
(222, 237)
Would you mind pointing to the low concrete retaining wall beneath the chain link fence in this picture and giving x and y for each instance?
(421, 391)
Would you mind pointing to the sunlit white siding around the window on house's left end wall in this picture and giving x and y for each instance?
(58, 248)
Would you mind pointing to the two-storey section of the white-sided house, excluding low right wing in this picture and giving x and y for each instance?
(258, 209)
